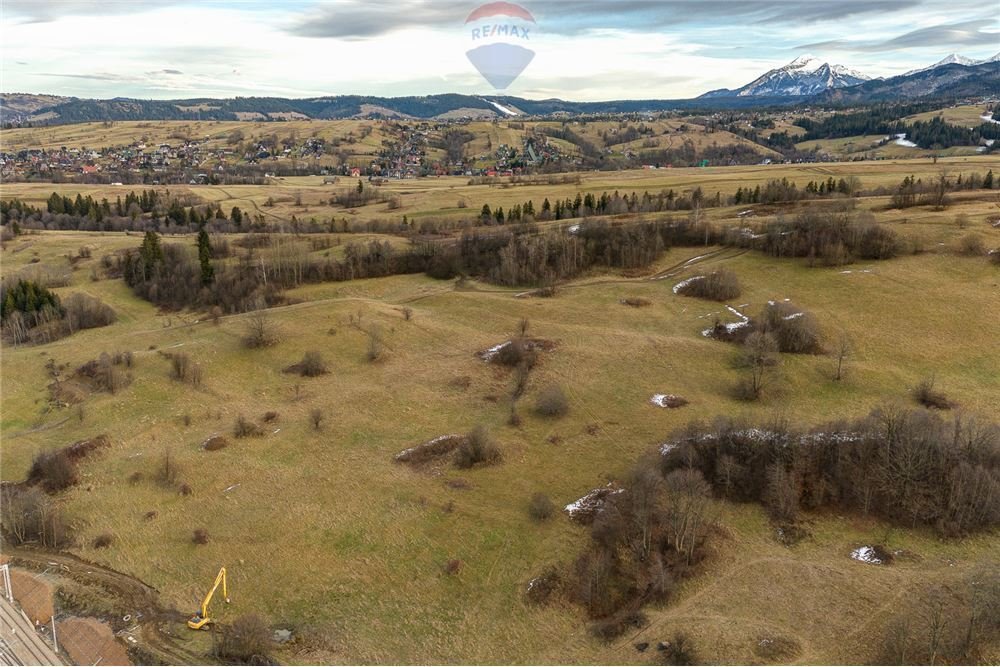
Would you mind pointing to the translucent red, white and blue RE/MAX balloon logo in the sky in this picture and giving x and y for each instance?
(501, 34)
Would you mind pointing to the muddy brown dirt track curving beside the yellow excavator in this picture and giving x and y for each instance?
(158, 634)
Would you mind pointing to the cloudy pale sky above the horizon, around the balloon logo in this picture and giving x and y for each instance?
(584, 50)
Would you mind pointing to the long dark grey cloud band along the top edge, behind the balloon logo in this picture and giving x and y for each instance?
(354, 19)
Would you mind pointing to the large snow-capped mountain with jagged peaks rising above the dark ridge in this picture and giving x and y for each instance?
(806, 75)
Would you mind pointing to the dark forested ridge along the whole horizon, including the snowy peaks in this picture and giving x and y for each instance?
(802, 82)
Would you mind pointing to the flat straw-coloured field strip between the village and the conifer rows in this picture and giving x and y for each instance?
(441, 198)
